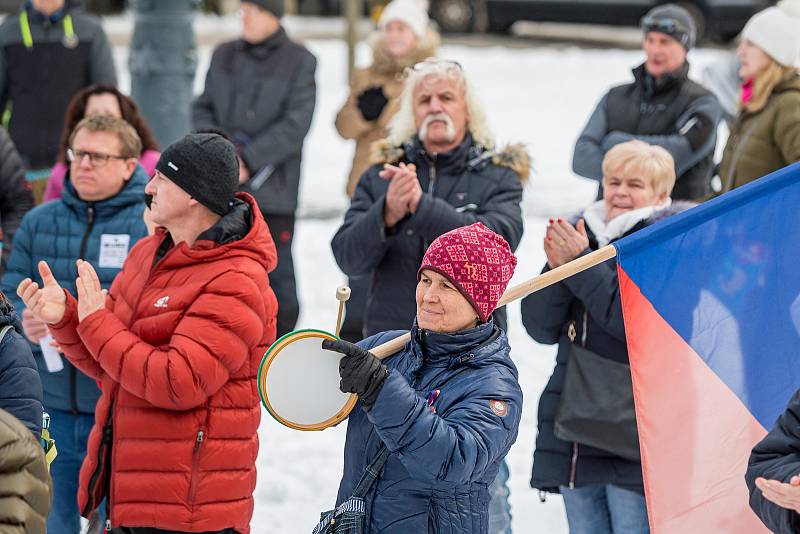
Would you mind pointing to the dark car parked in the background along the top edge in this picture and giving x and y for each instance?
(716, 19)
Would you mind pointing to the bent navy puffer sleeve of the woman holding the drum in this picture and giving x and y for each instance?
(456, 446)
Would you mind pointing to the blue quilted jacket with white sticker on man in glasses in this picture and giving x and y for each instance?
(60, 232)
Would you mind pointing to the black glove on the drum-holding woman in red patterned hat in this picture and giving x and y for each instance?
(361, 372)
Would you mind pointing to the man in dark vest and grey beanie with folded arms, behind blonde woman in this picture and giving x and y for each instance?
(662, 106)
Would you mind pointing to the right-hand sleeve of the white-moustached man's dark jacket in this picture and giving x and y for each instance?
(500, 212)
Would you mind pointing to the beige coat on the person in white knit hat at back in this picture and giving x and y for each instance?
(386, 73)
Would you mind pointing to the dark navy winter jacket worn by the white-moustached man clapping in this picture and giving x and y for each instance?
(463, 186)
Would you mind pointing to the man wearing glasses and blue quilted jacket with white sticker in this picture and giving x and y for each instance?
(98, 219)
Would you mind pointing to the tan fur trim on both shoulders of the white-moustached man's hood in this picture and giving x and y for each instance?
(514, 156)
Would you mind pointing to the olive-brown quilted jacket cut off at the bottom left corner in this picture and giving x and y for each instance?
(24, 479)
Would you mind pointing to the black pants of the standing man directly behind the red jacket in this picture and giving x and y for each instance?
(282, 279)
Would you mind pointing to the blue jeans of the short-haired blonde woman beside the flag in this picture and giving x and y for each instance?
(605, 509)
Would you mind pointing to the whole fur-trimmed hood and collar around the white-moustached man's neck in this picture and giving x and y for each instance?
(469, 155)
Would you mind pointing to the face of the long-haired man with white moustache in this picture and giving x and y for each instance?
(440, 113)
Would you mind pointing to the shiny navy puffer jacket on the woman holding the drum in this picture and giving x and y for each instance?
(444, 454)
